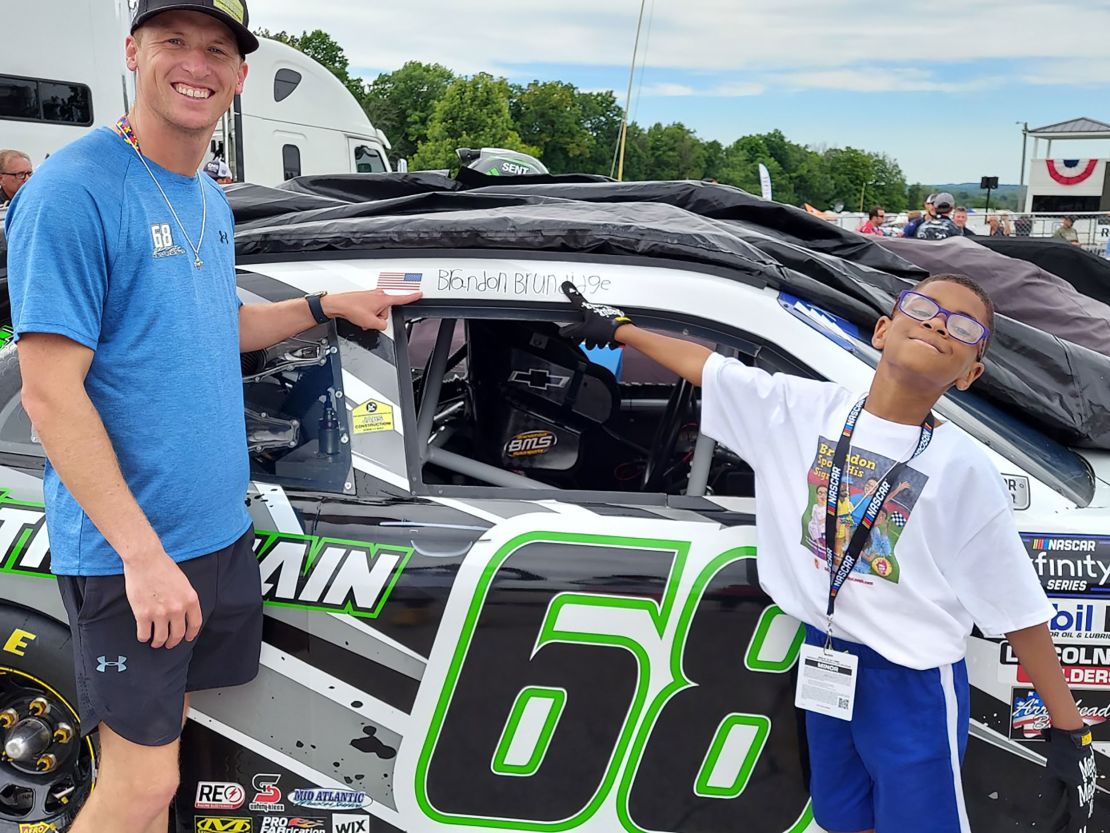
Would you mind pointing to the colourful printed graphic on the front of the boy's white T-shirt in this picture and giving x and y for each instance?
(864, 473)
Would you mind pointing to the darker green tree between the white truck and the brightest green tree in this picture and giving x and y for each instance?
(401, 104)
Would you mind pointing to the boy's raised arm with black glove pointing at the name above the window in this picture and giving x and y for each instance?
(603, 326)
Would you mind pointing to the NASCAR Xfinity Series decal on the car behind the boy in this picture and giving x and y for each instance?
(1072, 566)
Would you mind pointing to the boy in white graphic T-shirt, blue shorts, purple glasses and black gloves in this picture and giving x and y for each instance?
(900, 633)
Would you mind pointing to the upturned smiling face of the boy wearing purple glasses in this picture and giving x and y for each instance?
(926, 350)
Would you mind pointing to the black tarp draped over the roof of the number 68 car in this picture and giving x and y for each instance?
(1061, 387)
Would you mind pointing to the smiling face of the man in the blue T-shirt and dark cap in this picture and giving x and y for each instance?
(189, 68)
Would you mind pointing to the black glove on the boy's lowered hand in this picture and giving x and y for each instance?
(1072, 777)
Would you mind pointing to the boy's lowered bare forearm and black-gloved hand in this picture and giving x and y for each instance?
(1071, 754)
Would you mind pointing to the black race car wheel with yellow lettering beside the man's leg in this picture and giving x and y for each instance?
(46, 769)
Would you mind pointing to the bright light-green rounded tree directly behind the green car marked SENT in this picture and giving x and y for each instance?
(473, 113)
